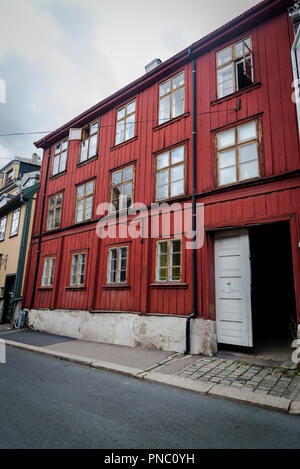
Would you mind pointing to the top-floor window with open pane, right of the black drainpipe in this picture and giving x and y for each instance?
(235, 67)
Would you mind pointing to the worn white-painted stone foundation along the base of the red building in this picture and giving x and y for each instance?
(159, 332)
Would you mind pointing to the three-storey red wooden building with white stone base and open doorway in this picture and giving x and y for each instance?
(232, 91)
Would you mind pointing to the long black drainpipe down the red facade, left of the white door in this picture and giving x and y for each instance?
(194, 224)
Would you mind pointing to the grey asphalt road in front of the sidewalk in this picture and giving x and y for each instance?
(49, 403)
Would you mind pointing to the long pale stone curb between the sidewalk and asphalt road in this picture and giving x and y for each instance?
(201, 387)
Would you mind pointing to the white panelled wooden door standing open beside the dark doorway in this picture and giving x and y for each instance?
(233, 288)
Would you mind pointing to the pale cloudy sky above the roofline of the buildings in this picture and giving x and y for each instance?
(59, 57)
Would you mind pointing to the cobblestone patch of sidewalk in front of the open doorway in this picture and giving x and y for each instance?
(275, 381)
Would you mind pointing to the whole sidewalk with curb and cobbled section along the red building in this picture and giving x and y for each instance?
(272, 387)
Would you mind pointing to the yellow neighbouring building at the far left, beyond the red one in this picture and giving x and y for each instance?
(19, 183)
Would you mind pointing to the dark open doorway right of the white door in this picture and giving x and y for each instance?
(274, 319)
